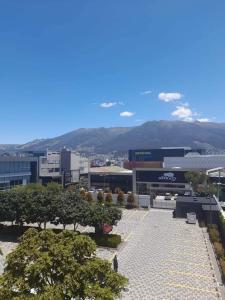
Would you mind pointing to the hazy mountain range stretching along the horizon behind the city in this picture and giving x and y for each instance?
(152, 134)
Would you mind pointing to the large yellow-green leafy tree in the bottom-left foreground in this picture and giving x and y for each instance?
(61, 266)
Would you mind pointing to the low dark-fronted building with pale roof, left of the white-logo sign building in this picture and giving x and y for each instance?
(110, 178)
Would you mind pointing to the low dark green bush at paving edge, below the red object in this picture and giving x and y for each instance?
(106, 240)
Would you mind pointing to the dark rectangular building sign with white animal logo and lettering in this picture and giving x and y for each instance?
(160, 176)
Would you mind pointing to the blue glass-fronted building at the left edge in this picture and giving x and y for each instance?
(17, 171)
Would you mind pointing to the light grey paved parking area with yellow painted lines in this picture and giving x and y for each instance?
(163, 257)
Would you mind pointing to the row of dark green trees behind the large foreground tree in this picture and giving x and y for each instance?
(37, 204)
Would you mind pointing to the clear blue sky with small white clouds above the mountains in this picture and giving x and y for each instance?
(75, 63)
